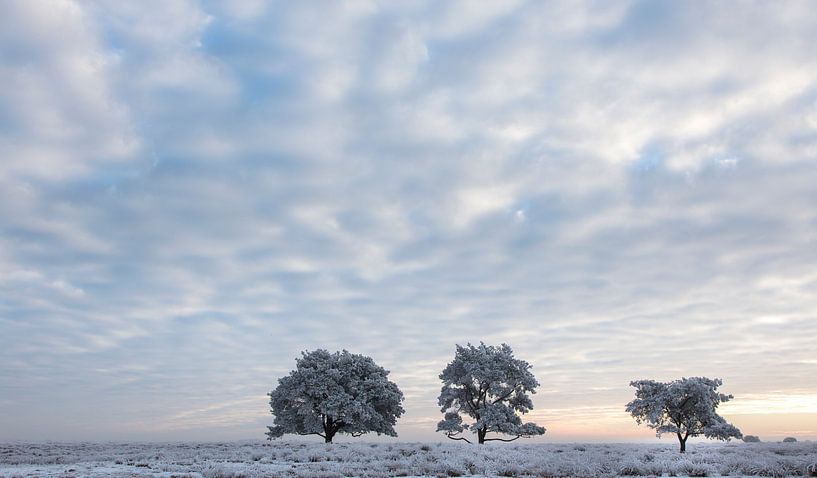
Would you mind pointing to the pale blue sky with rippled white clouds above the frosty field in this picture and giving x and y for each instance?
(194, 192)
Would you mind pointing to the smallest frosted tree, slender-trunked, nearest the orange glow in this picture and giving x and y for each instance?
(686, 407)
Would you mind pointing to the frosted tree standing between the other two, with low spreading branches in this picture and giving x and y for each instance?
(490, 386)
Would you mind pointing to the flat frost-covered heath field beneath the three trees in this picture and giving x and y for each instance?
(286, 459)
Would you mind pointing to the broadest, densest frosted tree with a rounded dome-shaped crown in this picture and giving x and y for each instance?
(330, 393)
